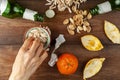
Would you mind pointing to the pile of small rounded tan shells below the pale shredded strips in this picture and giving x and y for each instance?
(79, 22)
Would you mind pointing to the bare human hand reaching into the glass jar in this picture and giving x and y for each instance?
(28, 59)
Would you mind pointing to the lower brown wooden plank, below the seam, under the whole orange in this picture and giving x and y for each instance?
(109, 71)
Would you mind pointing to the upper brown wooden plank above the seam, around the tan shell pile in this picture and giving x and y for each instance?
(13, 30)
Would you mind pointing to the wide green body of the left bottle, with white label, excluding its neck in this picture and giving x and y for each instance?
(9, 8)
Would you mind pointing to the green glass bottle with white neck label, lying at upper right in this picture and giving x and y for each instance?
(105, 7)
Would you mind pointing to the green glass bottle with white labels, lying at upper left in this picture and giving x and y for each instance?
(11, 9)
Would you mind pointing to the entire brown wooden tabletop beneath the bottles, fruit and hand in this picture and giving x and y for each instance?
(11, 39)
